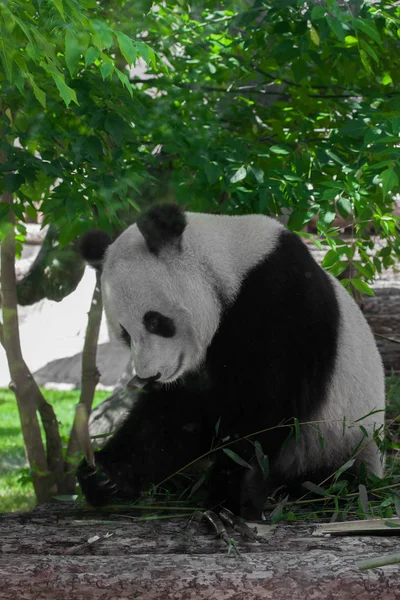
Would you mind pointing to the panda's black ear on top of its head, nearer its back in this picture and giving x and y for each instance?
(162, 225)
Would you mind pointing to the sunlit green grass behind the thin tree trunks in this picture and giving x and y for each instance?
(16, 491)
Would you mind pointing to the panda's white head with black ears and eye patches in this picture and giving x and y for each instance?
(157, 292)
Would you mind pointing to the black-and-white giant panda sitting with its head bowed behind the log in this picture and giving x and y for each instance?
(230, 321)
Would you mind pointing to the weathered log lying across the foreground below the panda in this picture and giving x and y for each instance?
(45, 555)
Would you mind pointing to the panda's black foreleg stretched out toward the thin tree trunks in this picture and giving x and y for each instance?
(161, 433)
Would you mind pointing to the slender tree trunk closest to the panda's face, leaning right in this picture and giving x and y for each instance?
(90, 375)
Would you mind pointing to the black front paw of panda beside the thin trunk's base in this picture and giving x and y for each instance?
(96, 484)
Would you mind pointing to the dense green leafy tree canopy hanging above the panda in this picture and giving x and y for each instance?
(240, 107)
